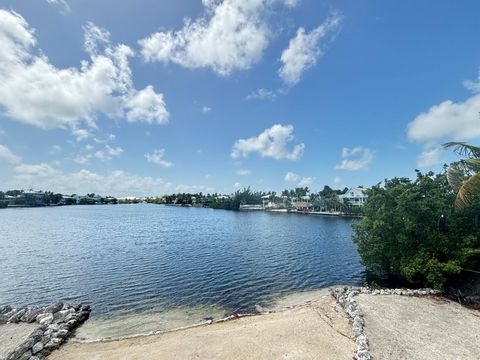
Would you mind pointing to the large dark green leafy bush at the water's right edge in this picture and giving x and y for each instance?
(410, 230)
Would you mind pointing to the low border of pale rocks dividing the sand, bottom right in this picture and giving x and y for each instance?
(345, 297)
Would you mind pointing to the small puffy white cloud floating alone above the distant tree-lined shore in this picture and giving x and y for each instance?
(272, 143)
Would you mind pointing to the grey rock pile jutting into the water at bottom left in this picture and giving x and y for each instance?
(56, 323)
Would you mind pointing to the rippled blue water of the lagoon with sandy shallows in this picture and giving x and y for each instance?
(151, 267)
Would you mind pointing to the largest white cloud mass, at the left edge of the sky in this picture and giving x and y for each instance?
(34, 91)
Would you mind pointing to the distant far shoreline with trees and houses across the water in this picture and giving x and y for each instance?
(299, 200)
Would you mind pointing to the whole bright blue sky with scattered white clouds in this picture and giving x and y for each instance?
(150, 97)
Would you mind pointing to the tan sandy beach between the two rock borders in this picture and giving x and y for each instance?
(318, 330)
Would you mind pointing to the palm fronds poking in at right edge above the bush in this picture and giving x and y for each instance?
(464, 175)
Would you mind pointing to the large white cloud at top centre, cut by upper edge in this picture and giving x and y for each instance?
(231, 35)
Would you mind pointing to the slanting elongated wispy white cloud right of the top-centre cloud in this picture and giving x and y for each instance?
(305, 49)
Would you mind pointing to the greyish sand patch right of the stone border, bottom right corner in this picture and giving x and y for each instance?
(400, 327)
